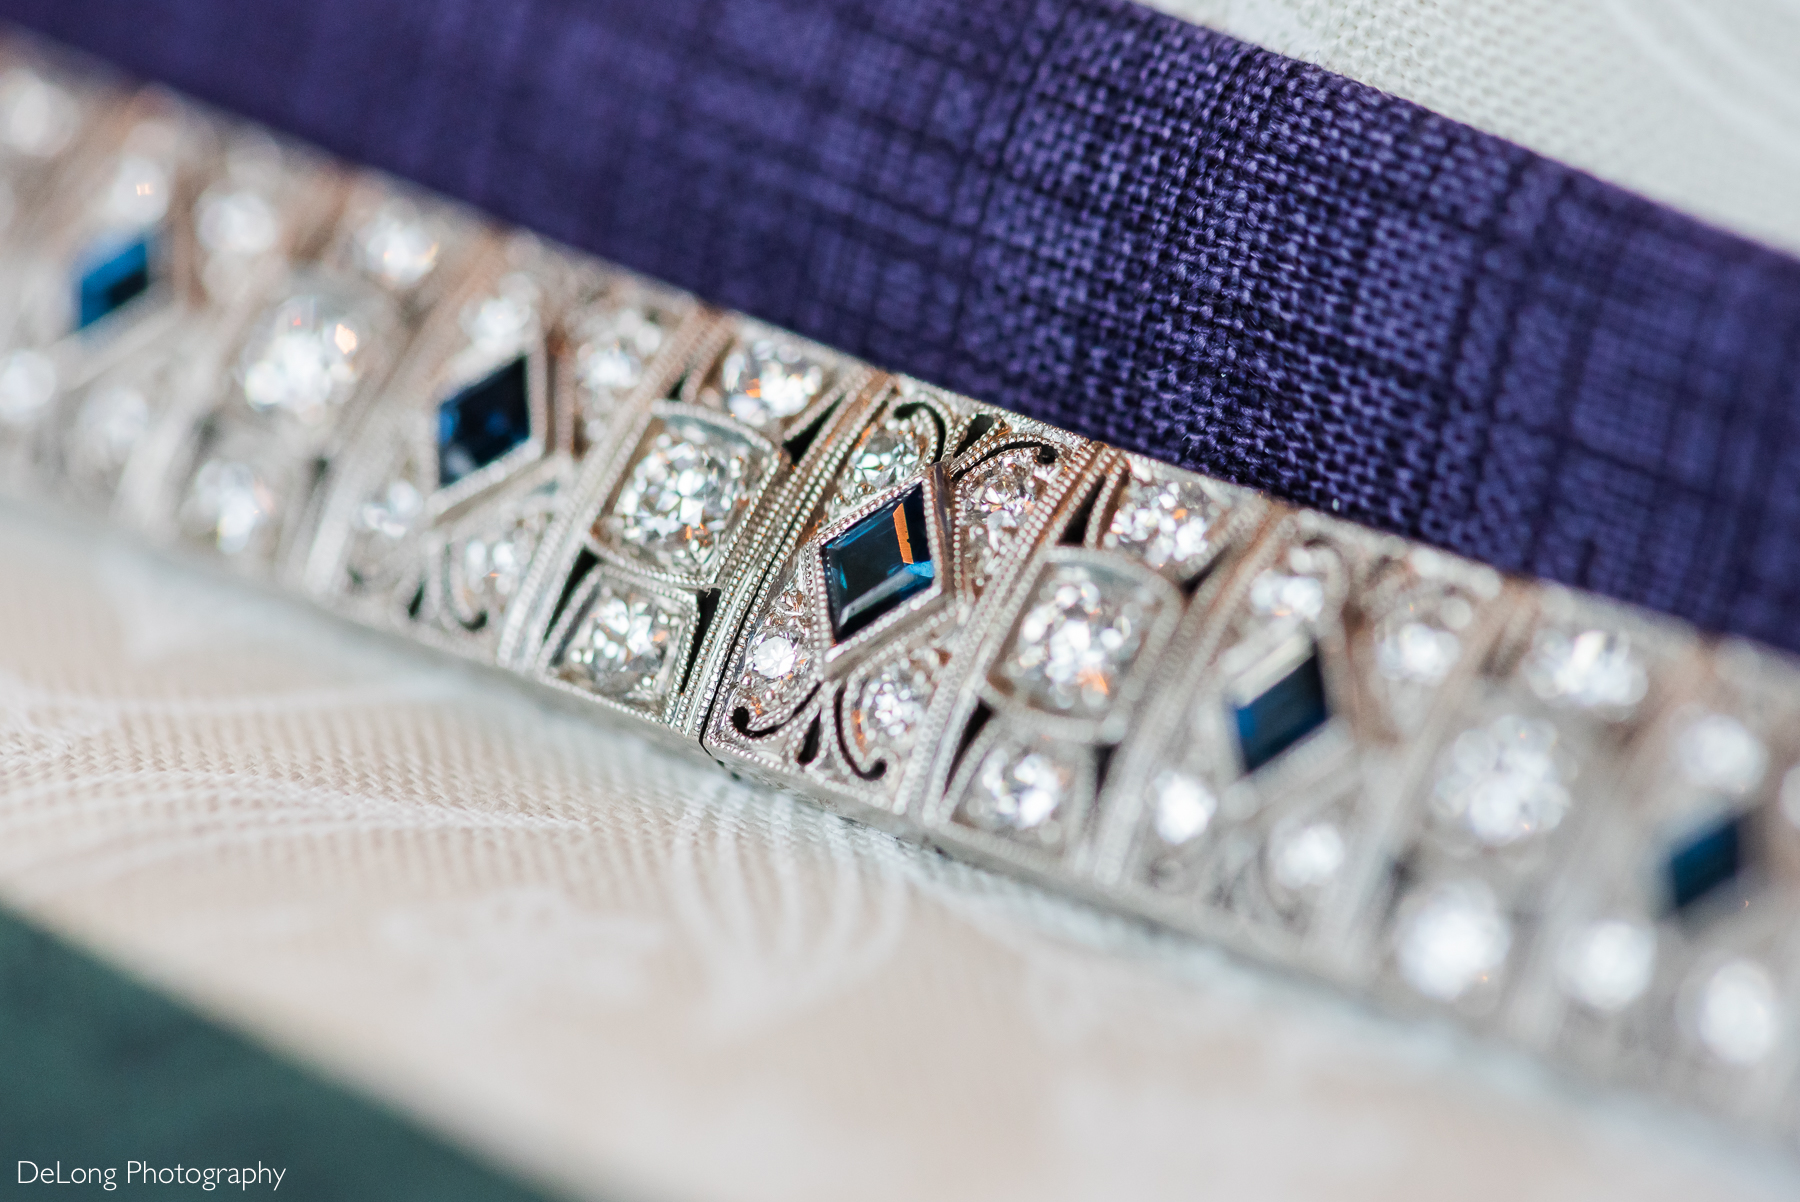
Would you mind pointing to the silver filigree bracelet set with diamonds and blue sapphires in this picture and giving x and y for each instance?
(1531, 812)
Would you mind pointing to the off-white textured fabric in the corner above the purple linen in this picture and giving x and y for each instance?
(1695, 103)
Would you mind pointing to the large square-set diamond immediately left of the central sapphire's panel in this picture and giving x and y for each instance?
(687, 496)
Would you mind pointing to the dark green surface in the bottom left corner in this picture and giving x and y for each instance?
(98, 1070)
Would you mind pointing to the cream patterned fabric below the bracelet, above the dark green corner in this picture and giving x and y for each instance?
(620, 971)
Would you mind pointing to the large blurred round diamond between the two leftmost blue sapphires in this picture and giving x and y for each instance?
(305, 357)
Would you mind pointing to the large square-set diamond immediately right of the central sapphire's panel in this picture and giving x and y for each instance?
(1077, 641)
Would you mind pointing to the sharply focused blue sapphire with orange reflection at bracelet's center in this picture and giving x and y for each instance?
(877, 564)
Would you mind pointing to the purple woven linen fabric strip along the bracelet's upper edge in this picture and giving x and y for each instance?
(1117, 222)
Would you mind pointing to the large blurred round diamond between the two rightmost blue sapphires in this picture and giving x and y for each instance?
(1504, 782)
